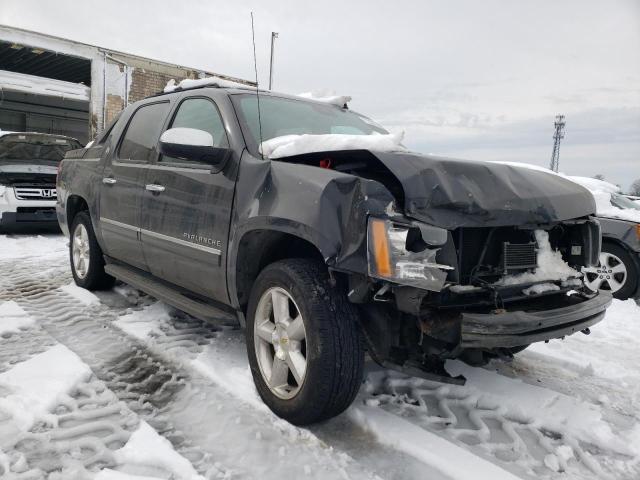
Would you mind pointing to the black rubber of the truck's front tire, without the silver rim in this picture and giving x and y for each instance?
(334, 350)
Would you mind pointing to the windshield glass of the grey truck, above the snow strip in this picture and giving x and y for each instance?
(284, 116)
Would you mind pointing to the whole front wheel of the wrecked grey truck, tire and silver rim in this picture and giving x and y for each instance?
(303, 342)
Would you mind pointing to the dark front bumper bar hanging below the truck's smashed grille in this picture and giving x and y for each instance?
(516, 328)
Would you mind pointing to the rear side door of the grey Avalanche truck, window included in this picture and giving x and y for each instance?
(123, 184)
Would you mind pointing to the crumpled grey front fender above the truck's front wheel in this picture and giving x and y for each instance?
(328, 209)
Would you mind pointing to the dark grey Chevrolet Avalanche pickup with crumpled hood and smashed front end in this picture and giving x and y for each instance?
(312, 227)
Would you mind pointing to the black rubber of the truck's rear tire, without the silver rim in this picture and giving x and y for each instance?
(96, 278)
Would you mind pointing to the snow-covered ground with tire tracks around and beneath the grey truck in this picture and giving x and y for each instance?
(119, 386)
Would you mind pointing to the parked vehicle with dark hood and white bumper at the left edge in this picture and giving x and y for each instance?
(28, 166)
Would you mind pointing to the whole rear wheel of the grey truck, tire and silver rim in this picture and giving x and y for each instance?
(85, 255)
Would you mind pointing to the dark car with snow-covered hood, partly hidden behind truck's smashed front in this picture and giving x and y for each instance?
(619, 268)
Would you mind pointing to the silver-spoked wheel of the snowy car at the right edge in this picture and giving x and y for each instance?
(617, 272)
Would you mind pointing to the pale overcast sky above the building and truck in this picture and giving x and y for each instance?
(466, 78)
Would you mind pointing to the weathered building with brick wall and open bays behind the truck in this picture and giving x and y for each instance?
(54, 85)
